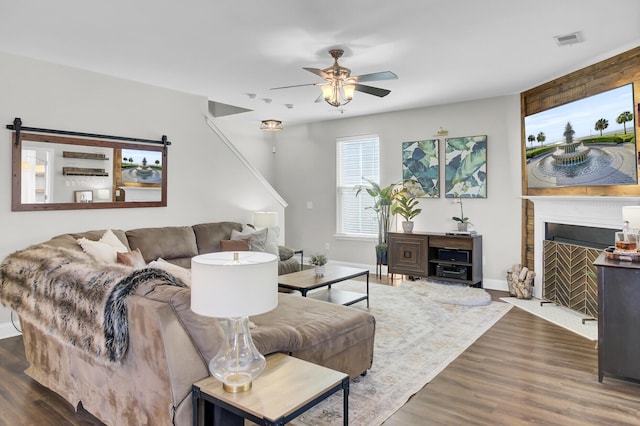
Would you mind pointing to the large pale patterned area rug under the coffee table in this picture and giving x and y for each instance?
(416, 338)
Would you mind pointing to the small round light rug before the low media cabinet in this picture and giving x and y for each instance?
(455, 294)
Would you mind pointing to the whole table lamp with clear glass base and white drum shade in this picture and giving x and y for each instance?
(234, 285)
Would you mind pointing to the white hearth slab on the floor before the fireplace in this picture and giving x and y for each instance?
(559, 315)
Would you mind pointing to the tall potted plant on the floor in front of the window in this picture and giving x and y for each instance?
(383, 198)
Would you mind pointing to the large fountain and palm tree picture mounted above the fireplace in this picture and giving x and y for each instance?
(588, 142)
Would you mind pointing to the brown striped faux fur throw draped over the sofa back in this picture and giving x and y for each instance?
(69, 295)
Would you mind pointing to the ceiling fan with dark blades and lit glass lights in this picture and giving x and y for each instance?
(339, 85)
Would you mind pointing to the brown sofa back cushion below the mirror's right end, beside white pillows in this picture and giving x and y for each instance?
(170, 242)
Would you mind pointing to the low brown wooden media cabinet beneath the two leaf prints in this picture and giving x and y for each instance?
(444, 257)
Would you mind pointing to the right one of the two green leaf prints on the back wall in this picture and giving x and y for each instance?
(466, 167)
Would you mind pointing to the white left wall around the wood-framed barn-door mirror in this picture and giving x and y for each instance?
(206, 182)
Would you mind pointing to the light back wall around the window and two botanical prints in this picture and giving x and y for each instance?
(305, 172)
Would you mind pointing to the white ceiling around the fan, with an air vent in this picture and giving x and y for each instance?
(443, 51)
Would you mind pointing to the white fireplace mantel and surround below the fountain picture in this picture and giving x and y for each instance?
(599, 212)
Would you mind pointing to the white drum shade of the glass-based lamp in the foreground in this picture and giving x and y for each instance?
(224, 288)
